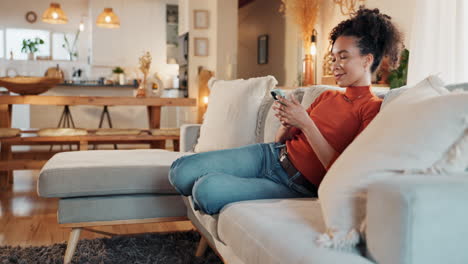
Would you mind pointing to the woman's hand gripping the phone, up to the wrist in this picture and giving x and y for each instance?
(291, 113)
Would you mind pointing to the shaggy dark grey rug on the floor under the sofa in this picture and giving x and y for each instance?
(169, 248)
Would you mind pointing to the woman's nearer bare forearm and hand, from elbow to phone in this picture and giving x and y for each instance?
(293, 114)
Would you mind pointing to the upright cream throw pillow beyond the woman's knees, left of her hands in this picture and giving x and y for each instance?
(231, 118)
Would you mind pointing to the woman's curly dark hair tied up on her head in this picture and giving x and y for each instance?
(376, 34)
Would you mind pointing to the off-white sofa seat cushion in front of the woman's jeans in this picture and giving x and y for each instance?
(278, 231)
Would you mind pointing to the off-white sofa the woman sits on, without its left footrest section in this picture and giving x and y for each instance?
(418, 219)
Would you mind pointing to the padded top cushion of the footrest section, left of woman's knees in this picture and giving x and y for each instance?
(107, 172)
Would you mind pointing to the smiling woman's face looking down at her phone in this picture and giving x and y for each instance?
(349, 67)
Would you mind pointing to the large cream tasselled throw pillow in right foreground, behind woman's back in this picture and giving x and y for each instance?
(413, 132)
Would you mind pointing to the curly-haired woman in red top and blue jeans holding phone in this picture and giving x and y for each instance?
(308, 140)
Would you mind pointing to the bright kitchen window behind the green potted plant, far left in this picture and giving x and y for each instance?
(15, 37)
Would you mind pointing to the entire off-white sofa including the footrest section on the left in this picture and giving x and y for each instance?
(418, 219)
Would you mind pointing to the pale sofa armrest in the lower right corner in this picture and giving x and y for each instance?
(418, 219)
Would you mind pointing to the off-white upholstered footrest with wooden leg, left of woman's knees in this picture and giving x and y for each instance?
(110, 187)
